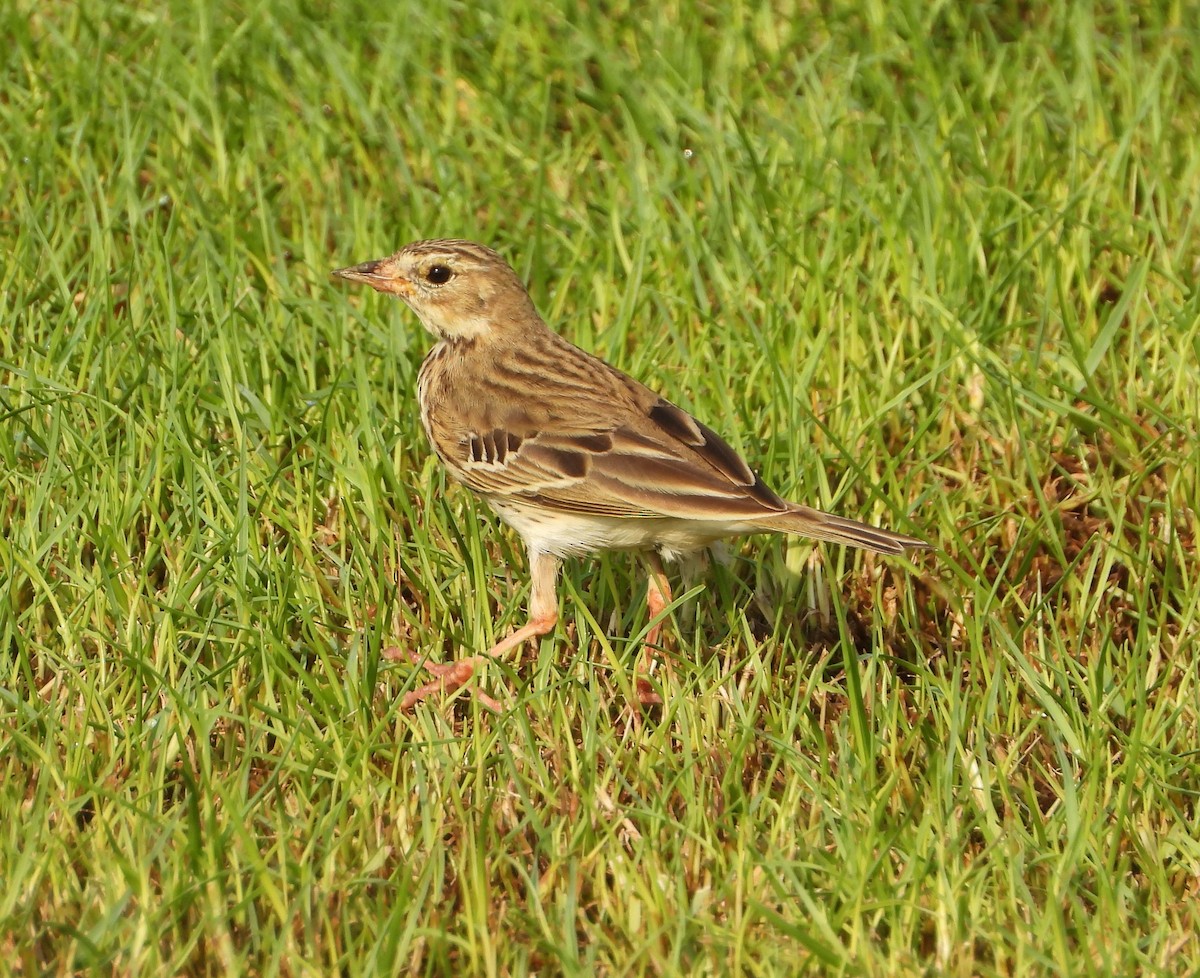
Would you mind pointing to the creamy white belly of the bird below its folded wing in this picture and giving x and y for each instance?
(571, 535)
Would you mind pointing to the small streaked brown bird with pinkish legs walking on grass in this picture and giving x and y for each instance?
(573, 454)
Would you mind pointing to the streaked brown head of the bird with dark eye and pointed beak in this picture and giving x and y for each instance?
(460, 291)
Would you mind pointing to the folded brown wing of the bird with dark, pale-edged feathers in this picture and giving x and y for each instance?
(655, 460)
